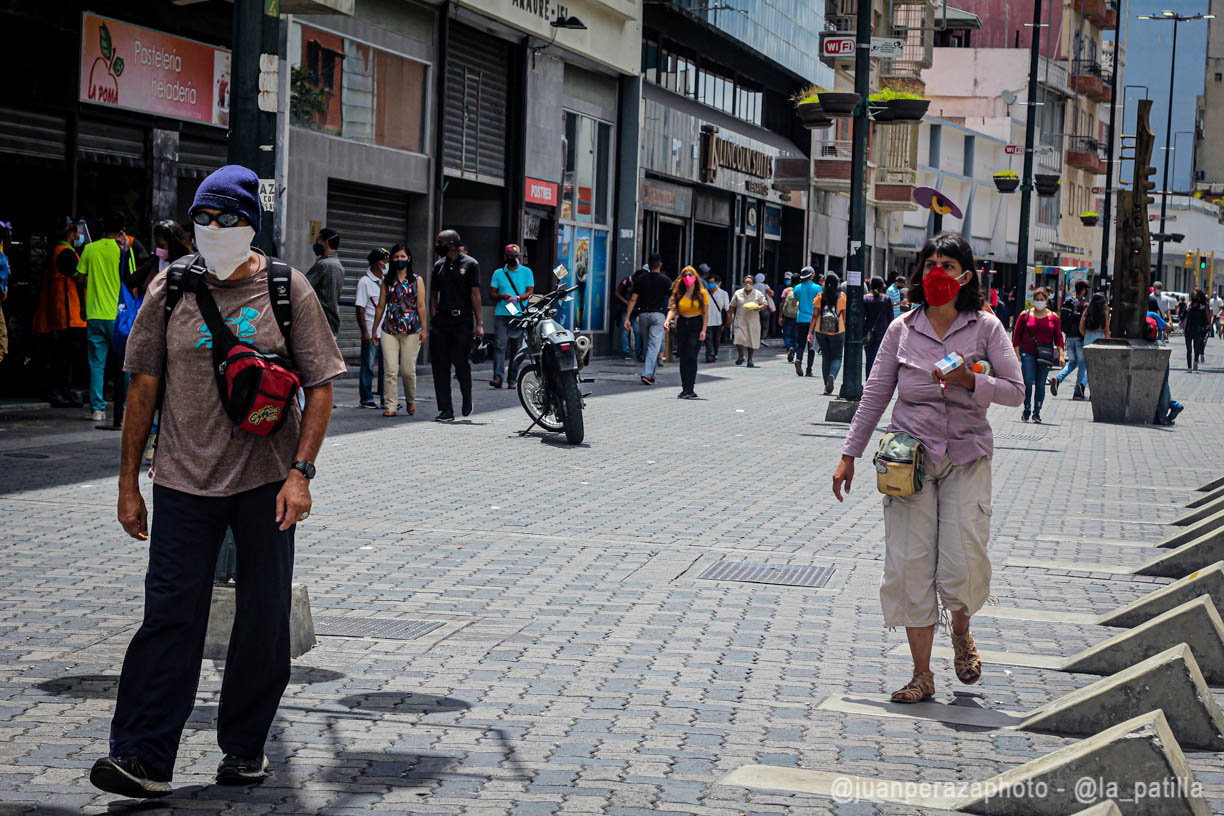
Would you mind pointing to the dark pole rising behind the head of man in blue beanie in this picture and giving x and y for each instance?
(254, 81)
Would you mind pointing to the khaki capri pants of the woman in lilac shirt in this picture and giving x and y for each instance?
(936, 546)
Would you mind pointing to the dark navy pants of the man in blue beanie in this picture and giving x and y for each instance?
(157, 689)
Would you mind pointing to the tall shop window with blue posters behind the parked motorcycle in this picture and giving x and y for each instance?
(584, 233)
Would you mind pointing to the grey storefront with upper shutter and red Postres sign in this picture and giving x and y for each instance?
(533, 143)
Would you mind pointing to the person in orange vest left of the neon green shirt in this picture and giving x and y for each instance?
(61, 316)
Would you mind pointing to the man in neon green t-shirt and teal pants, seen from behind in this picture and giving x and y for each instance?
(100, 264)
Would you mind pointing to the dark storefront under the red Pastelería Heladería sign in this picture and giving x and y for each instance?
(123, 117)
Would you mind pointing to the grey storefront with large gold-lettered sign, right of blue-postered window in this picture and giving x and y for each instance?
(709, 193)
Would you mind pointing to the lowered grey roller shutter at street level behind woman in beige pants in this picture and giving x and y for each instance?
(367, 218)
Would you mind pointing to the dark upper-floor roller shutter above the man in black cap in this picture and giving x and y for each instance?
(476, 105)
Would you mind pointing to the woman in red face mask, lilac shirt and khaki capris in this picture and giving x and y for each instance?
(936, 538)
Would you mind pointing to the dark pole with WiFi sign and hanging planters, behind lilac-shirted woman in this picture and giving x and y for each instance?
(856, 255)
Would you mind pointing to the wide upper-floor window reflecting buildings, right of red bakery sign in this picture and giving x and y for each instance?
(347, 89)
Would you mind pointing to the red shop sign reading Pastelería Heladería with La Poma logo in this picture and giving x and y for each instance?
(140, 69)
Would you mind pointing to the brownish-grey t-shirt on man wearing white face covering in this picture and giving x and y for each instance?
(200, 451)
